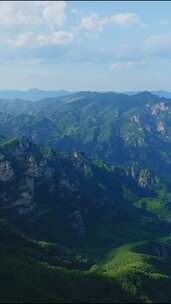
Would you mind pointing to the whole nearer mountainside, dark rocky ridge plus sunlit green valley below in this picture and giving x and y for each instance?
(68, 229)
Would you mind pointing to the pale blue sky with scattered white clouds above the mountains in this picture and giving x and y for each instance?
(85, 45)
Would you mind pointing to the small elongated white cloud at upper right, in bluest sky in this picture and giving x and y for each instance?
(94, 22)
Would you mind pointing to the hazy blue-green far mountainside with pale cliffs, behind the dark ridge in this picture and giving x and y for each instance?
(113, 127)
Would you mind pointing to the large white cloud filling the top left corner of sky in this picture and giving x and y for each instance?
(14, 13)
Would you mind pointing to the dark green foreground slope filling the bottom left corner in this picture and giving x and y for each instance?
(41, 272)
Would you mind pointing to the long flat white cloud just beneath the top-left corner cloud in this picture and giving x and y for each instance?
(31, 40)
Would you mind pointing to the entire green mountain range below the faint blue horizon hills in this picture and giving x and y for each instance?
(85, 199)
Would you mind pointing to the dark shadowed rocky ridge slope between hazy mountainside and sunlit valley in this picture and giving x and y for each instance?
(73, 200)
